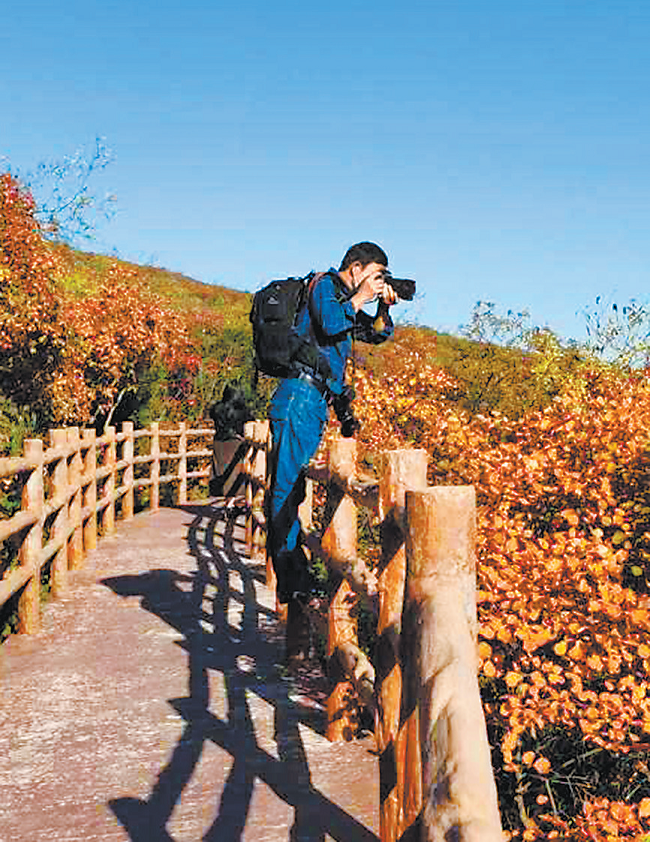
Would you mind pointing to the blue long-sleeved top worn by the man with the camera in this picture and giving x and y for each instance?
(330, 322)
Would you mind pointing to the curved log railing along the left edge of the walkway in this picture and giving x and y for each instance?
(73, 489)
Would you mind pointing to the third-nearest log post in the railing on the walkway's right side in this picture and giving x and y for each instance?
(340, 542)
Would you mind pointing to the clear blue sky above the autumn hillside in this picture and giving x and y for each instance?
(497, 150)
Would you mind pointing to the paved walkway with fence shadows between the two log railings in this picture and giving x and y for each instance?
(152, 706)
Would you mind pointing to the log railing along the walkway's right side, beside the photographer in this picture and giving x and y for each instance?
(436, 777)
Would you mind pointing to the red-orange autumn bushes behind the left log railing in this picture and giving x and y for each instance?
(70, 349)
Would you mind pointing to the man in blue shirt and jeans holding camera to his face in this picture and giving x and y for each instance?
(300, 405)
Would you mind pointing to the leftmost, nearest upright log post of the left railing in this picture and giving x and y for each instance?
(29, 614)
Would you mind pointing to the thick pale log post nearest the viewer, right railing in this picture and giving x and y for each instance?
(459, 792)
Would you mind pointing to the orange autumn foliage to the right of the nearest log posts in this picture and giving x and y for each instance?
(563, 573)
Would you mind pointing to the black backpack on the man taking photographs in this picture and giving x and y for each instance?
(273, 316)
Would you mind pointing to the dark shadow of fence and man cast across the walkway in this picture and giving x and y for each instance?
(247, 656)
